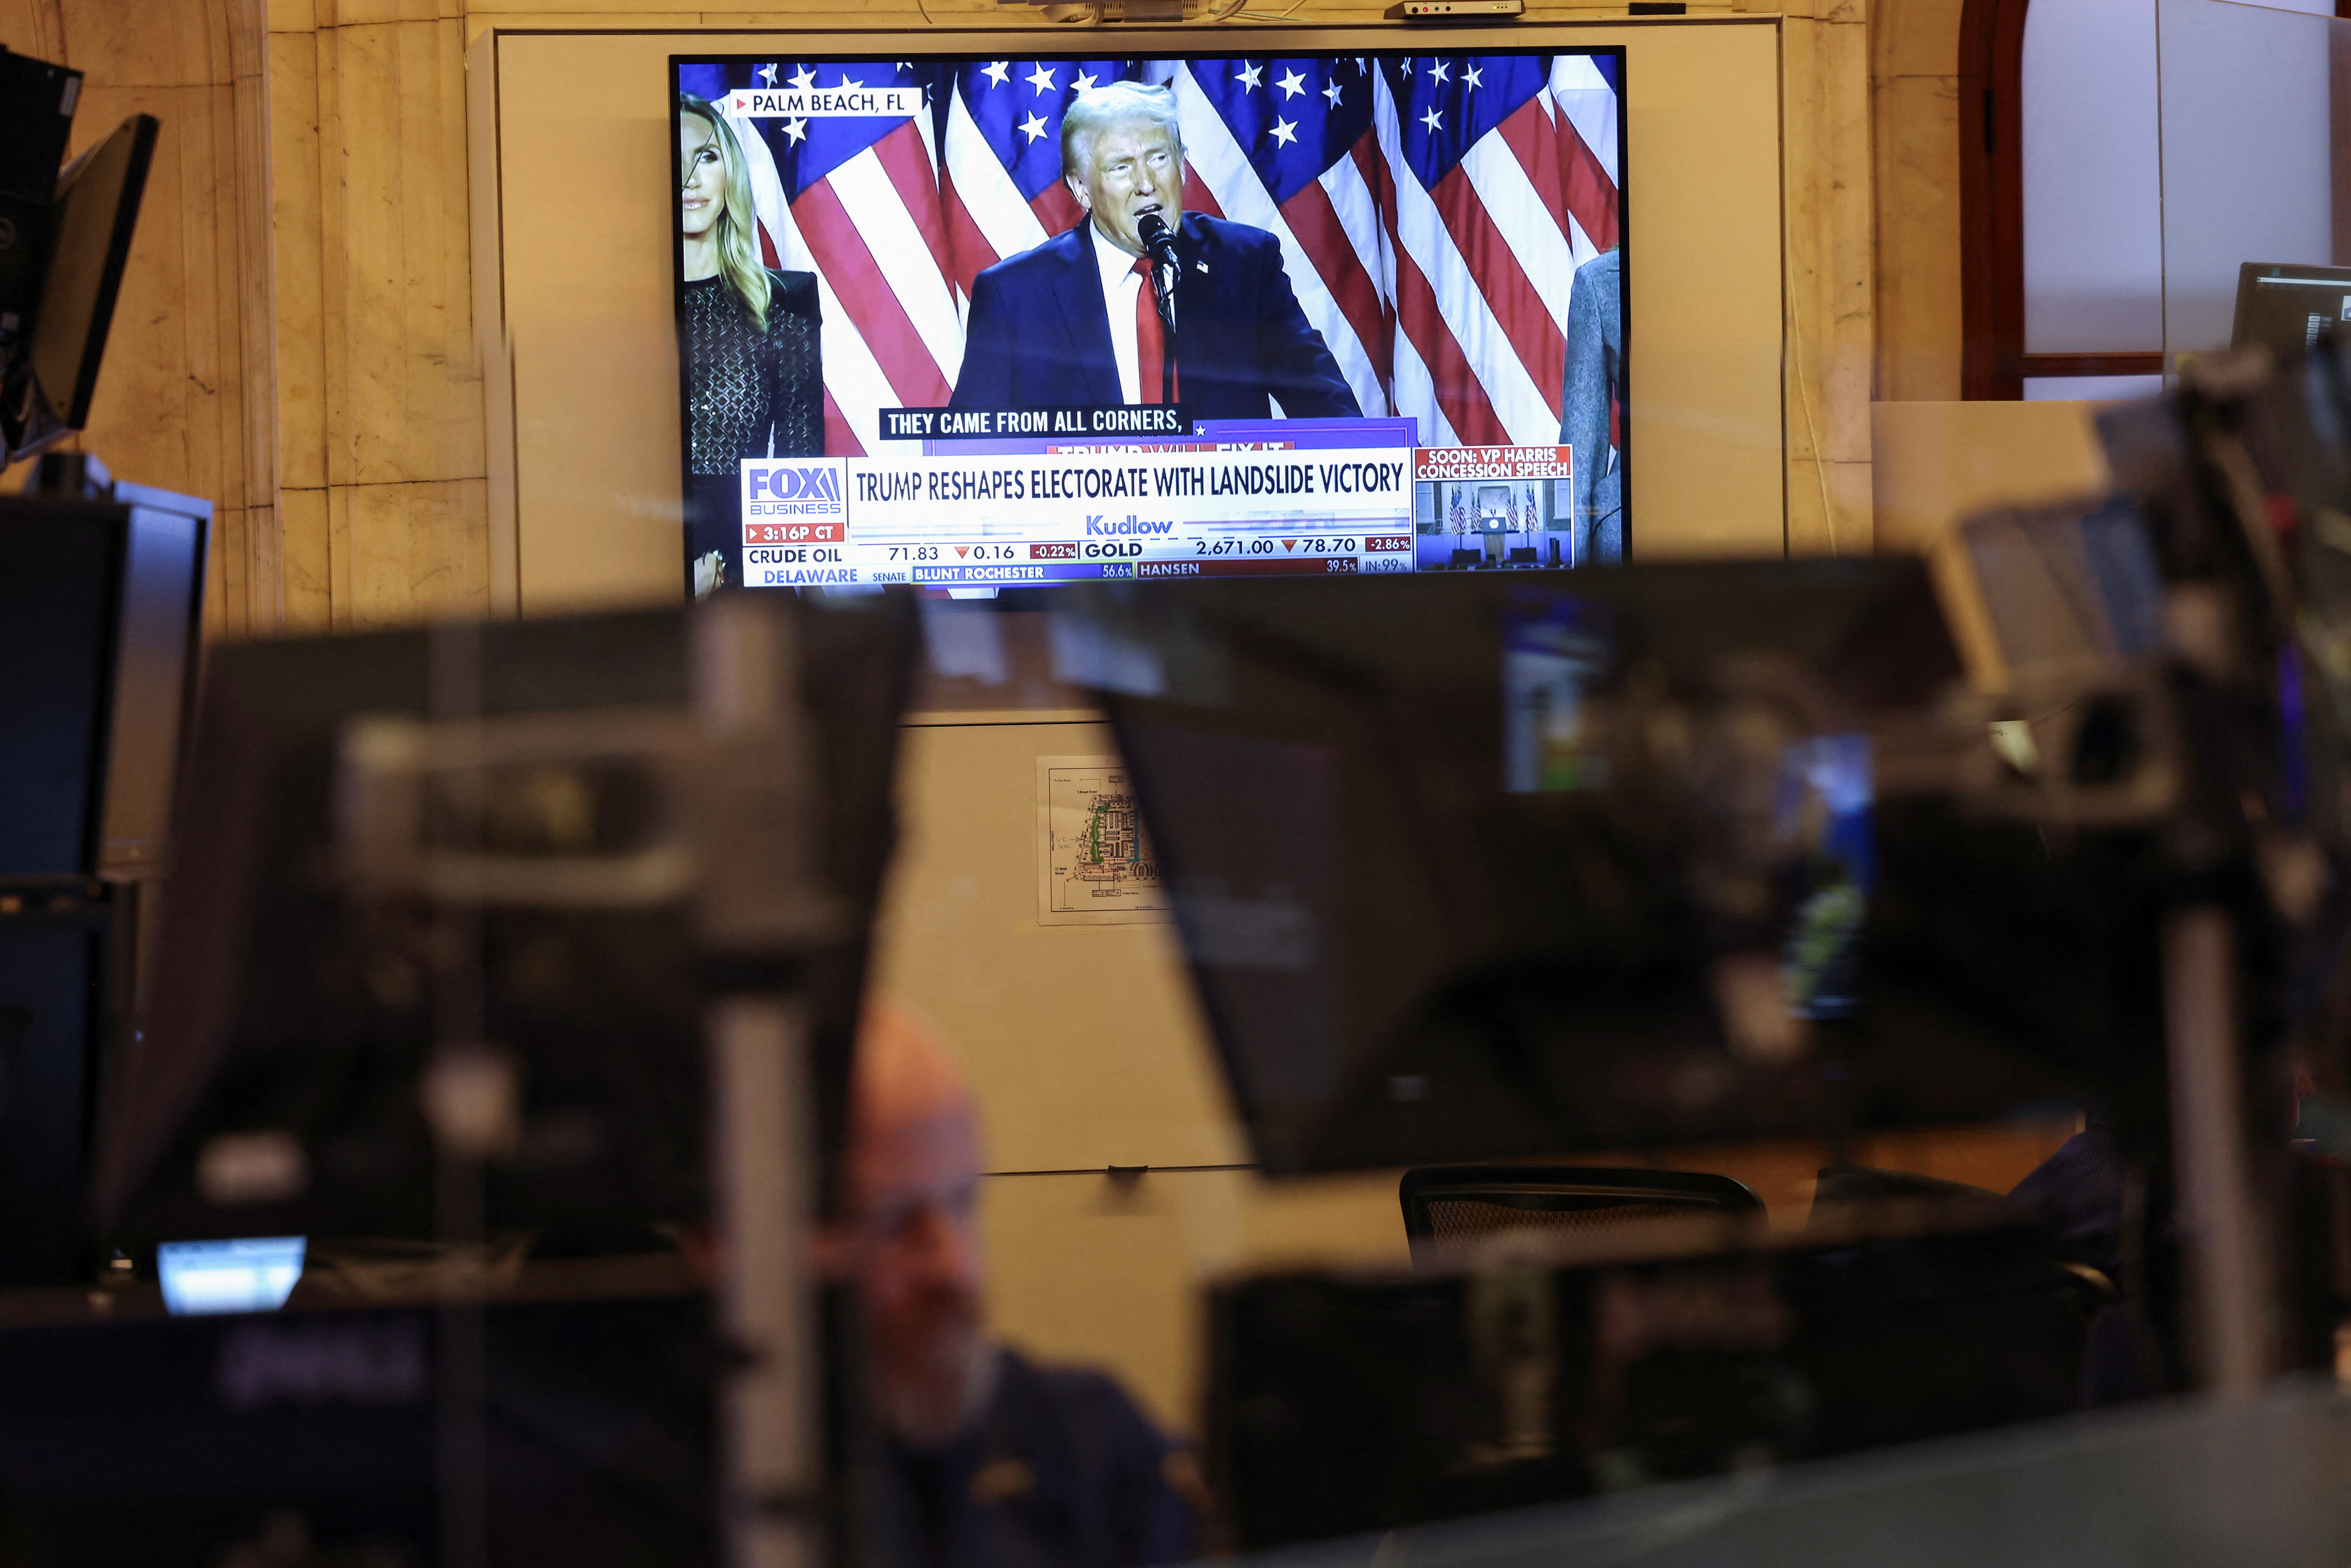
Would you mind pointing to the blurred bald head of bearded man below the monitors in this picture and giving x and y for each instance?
(911, 1231)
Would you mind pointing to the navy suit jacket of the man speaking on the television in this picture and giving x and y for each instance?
(1040, 337)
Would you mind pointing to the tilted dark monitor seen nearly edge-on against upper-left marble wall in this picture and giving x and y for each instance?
(98, 210)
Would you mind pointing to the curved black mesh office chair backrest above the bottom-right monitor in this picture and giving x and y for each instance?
(1447, 1207)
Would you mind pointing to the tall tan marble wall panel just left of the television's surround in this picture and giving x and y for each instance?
(384, 474)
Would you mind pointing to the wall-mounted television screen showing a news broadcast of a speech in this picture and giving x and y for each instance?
(982, 323)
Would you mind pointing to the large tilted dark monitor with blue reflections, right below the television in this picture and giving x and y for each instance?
(1431, 925)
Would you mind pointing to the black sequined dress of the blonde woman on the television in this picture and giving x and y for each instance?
(749, 396)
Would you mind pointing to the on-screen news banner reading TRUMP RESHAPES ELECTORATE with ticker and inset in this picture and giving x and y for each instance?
(1007, 518)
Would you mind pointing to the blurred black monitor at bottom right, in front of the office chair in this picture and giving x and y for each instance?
(1355, 1402)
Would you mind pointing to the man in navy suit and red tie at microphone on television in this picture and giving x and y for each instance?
(1076, 321)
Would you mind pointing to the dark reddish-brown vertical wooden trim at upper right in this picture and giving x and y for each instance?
(1992, 199)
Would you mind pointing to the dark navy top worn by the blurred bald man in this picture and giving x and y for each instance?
(1059, 1473)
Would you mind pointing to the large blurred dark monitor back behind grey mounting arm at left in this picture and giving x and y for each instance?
(276, 1087)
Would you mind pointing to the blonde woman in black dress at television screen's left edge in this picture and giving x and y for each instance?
(746, 337)
